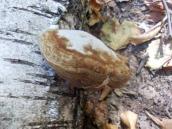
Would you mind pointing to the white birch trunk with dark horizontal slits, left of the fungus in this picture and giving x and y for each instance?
(31, 94)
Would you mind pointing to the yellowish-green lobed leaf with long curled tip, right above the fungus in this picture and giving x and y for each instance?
(117, 35)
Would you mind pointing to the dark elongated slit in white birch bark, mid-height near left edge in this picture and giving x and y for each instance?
(19, 61)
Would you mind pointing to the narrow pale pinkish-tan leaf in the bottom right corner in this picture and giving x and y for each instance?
(164, 123)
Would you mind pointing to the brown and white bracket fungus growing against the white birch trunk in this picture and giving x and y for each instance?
(84, 60)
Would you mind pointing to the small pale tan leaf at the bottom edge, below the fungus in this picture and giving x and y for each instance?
(129, 119)
